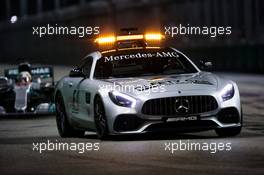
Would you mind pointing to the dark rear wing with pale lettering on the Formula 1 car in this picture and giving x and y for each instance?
(36, 72)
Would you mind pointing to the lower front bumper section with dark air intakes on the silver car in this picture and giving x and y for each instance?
(128, 123)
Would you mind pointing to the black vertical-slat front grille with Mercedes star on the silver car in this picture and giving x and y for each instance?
(182, 105)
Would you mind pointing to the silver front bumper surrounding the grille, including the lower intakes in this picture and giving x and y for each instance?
(122, 120)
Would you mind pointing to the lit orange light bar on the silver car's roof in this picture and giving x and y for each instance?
(112, 39)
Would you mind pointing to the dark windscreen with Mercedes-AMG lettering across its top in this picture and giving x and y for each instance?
(145, 62)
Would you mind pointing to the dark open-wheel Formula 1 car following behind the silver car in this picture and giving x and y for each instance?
(27, 90)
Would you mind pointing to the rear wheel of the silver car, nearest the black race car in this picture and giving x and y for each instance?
(63, 125)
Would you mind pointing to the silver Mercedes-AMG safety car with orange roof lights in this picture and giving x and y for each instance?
(136, 88)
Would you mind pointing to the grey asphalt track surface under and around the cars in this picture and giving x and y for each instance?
(137, 154)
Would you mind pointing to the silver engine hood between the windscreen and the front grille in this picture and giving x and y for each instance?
(168, 83)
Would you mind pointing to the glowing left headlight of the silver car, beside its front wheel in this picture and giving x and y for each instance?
(121, 99)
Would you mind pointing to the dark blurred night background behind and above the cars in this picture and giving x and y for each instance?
(242, 51)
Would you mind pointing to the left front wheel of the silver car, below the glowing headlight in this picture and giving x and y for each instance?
(100, 118)
